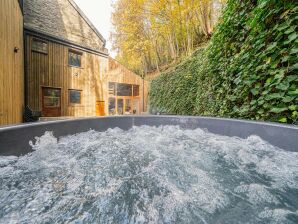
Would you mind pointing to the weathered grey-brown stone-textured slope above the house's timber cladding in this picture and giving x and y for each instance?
(64, 20)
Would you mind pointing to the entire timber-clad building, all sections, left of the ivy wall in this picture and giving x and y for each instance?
(54, 61)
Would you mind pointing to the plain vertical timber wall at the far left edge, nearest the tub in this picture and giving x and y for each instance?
(11, 62)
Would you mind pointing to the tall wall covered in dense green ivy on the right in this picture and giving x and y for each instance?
(248, 70)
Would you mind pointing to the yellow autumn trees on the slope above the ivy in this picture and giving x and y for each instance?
(149, 34)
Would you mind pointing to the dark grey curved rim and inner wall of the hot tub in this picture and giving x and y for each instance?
(14, 140)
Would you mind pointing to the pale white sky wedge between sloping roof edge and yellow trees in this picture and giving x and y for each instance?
(99, 13)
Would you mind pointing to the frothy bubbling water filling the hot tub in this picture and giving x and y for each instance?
(150, 175)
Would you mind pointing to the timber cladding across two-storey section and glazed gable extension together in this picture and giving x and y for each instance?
(91, 79)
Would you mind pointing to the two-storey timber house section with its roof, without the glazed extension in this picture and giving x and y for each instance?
(65, 60)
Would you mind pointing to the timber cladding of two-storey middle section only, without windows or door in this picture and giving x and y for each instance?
(53, 70)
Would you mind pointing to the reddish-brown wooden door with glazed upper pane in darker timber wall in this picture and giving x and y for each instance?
(51, 102)
